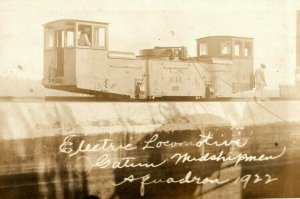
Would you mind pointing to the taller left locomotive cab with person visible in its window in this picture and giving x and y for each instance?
(70, 48)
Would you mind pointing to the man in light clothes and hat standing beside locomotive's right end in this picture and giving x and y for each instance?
(260, 83)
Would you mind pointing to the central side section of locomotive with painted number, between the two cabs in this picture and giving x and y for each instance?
(174, 78)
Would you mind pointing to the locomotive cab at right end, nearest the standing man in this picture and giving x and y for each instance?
(230, 63)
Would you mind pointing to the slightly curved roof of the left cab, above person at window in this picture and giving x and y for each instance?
(69, 22)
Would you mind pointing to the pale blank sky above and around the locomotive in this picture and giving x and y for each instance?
(140, 24)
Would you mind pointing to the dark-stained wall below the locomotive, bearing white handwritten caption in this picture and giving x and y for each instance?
(35, 163)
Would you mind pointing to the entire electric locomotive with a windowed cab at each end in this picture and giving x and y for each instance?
(223, 65)
